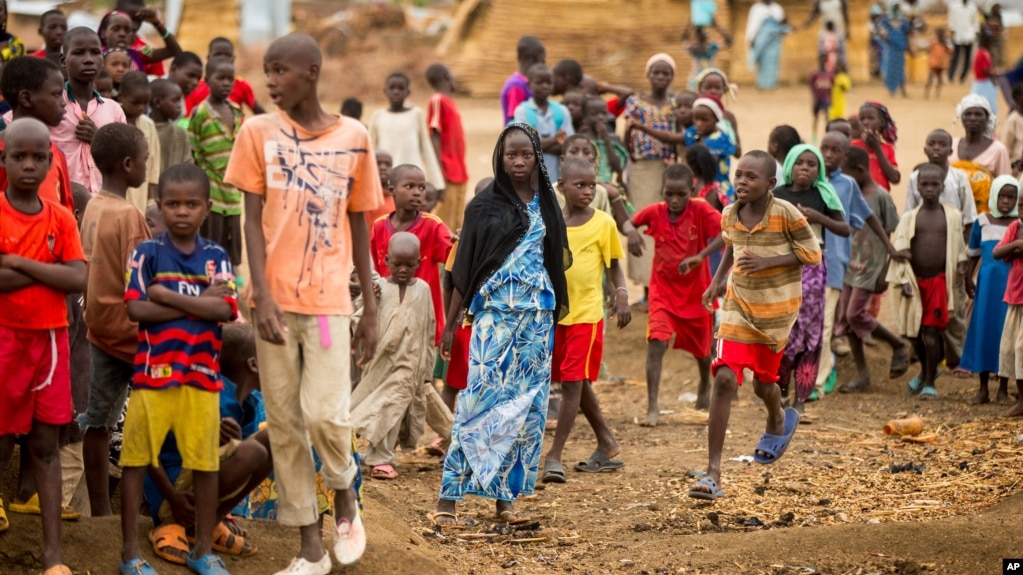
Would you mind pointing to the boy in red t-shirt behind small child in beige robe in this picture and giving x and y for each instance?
(409, 188)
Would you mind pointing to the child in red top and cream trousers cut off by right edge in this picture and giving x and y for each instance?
(1011, 364)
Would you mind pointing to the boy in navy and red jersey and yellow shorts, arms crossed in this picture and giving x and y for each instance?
(181, 288)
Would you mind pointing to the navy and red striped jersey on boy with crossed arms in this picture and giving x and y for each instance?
(185, 351)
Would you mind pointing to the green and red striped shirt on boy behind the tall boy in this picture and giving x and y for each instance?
(212, 143)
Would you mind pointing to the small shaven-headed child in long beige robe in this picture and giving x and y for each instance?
(405, 360)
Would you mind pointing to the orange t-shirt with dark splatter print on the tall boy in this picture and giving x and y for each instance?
(309, 183)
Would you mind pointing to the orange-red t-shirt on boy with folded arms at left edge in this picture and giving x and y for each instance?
(51, 238)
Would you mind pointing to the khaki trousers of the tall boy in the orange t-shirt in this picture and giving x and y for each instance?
(307, 391)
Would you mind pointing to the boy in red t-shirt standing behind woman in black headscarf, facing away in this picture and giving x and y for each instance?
(450, 144)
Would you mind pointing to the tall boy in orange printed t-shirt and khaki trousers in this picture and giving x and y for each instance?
(303, 236)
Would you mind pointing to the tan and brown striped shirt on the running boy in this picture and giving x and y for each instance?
(762, 307)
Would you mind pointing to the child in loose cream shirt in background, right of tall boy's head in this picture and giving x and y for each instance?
(403, 131)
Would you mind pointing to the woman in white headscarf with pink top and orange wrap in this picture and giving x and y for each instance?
(977, 154)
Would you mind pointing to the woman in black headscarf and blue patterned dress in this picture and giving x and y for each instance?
(509, 276)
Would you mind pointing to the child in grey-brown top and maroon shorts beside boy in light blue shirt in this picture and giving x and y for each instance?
(866, 277)
